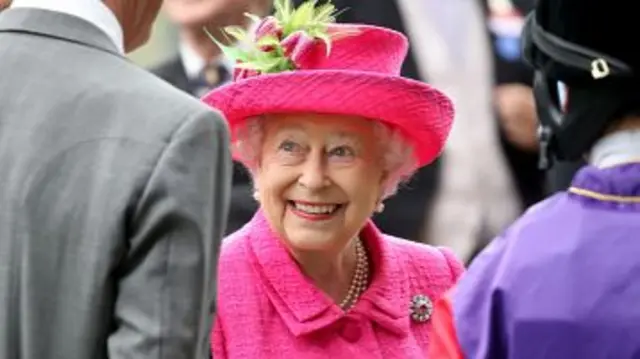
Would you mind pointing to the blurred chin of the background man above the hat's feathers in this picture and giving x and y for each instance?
(213, 13)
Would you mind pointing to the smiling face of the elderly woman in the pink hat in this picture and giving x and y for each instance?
(319, 179)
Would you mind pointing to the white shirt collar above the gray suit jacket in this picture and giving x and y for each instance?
(93, 11)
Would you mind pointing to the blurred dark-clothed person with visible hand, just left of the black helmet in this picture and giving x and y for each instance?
(516, 107)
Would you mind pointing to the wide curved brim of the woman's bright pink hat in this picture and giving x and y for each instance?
(422, 113)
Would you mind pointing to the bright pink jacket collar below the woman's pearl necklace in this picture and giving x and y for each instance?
(304, 308)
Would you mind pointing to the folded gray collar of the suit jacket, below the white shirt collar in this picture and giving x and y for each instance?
(55, 25)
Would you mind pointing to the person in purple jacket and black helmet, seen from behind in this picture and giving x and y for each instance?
(563, 282)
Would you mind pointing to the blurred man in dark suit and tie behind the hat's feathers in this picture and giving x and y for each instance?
(199, 67)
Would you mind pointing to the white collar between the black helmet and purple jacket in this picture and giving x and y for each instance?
(617, 148)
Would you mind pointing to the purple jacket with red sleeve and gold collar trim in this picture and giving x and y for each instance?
(562, 283)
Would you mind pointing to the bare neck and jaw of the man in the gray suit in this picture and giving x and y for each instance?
(137, 18)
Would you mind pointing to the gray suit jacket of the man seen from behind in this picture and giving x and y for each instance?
(113, 198)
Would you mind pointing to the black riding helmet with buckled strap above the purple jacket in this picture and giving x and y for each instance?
(588, 46)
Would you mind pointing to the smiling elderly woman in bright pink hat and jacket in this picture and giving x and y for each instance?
(328, 130)
